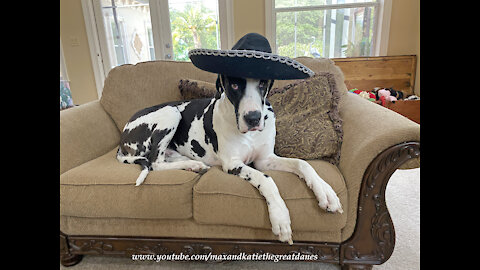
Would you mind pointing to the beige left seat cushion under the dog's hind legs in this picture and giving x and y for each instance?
(104, 187)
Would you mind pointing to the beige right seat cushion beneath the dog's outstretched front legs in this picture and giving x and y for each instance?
(224, 199)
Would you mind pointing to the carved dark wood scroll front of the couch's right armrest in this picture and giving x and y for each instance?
(373, 240)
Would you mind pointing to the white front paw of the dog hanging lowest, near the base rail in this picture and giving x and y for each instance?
(280, 219)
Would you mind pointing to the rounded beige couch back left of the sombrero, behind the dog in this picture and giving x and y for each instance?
(130, 88)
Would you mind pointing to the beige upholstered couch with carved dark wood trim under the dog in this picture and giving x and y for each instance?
(102, 212)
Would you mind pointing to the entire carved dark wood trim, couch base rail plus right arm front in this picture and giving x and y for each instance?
(371, 243)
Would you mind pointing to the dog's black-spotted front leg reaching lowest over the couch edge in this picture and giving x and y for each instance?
(277, 210)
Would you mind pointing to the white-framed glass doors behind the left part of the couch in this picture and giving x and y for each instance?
(132, 31)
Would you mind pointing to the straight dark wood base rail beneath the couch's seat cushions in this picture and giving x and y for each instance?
(127, 246)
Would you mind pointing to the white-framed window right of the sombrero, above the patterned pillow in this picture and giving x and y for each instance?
(324, 28)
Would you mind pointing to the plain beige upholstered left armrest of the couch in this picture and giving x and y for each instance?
(86, 132)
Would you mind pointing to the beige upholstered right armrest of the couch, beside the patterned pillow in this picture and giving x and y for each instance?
(368, 129)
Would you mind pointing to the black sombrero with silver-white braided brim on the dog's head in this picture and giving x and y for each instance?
(250, 57)
